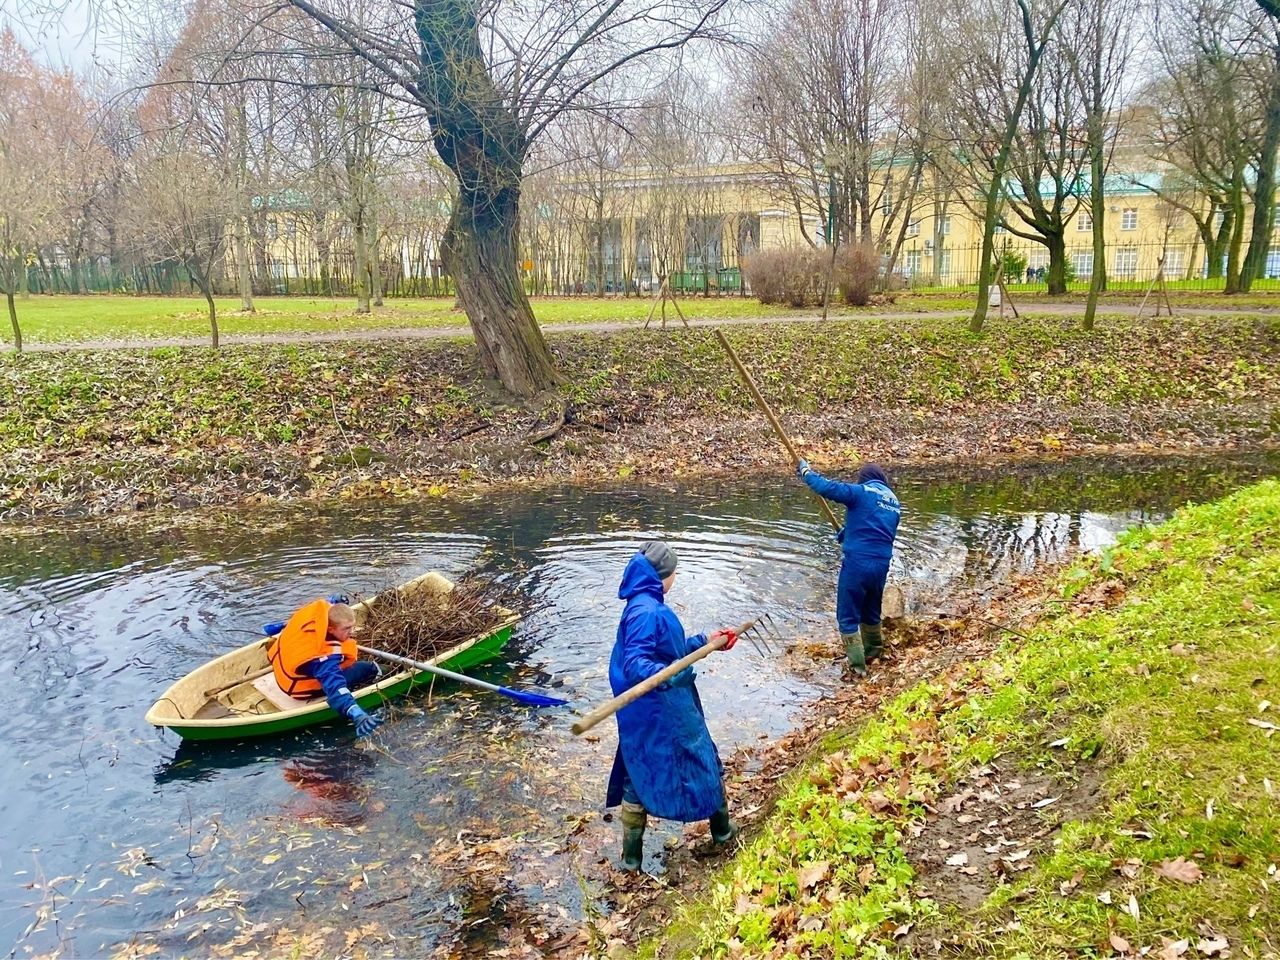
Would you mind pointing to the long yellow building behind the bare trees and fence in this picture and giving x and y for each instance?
(624, 231)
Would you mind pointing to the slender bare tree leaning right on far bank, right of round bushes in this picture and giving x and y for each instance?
(996, 56)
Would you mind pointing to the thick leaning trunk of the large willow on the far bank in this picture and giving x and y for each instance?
(479, 139)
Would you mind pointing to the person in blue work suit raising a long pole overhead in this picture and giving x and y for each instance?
(871, 525)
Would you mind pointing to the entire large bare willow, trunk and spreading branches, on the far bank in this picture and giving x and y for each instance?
(492, 80)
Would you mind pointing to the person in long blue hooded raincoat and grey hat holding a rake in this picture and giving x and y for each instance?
(666, 764)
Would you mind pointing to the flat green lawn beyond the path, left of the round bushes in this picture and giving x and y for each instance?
(66, 319)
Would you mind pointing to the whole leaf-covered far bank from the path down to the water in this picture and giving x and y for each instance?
(111, 433)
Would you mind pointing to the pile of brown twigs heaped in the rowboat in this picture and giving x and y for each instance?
(424, 624)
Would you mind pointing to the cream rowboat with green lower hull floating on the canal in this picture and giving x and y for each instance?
(236, 697)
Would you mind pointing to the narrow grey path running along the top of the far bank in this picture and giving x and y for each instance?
(464, 332)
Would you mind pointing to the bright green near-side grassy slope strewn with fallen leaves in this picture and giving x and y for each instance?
(1162, 687)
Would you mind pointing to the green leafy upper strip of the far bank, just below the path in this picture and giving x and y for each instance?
(294, 395)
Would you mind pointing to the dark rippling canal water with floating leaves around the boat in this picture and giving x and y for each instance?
(477, 813)
